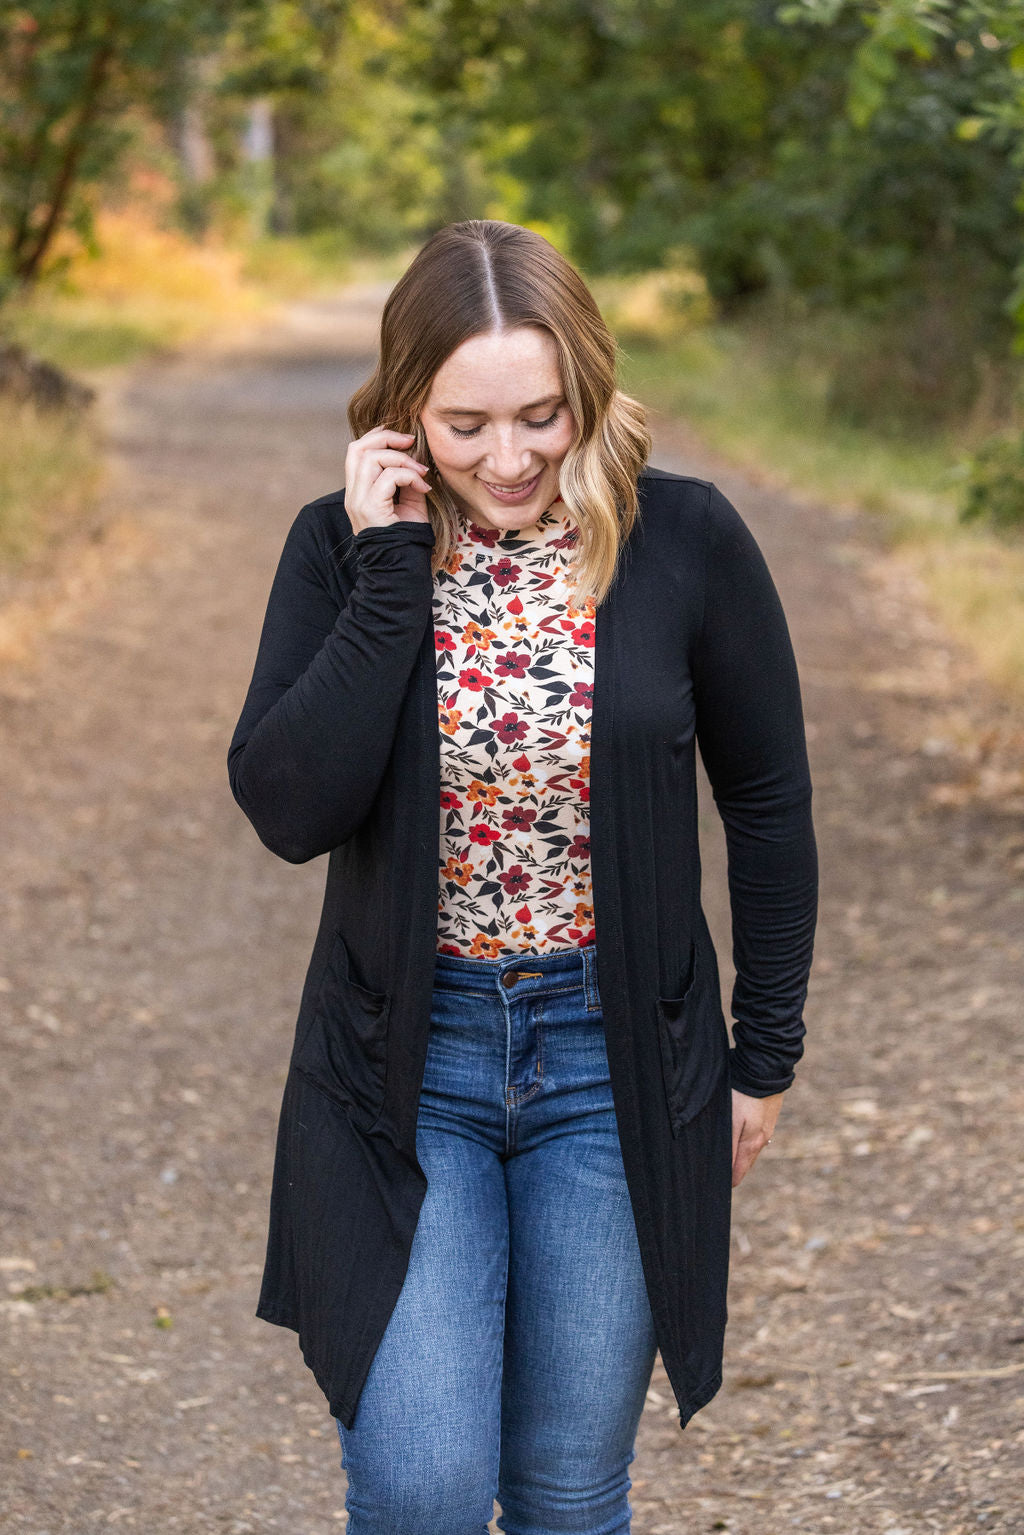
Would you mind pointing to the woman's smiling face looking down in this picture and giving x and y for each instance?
(497, 421)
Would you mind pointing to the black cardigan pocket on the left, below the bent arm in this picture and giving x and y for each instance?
(345, 1049)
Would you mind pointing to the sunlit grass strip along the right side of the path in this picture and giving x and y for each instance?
(770, 414)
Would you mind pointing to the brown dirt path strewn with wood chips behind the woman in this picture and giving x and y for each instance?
(153, 968)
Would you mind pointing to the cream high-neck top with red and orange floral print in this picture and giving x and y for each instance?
(515, 690)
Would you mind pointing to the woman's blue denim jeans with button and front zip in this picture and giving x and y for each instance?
(518, 1358)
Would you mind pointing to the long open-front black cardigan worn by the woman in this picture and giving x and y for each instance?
(337, 753)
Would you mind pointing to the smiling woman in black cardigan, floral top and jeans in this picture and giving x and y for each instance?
(514, 1118)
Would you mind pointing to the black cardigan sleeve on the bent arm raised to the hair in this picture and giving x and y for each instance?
(320, 718)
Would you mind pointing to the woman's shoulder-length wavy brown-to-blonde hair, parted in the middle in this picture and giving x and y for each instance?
(484, 276)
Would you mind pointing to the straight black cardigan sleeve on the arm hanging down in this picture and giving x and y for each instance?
(751, 738)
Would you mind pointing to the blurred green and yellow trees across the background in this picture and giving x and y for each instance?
(844, 177)
